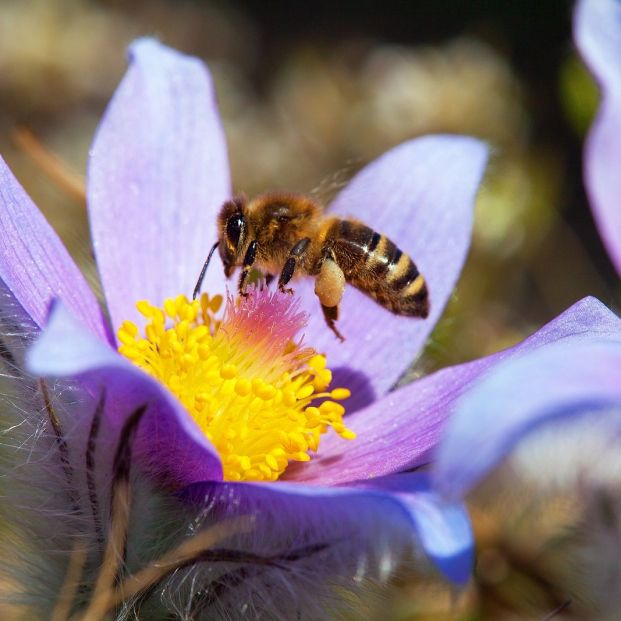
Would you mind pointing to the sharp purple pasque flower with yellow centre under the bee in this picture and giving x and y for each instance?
(180, 409)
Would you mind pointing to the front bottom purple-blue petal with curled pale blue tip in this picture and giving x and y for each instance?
(384, 518)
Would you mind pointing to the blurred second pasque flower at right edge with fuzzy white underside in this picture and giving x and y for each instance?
(562, 400)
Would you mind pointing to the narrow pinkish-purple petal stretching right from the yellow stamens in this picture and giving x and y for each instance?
(398, 431)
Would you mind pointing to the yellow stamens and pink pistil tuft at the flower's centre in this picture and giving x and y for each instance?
(244, 380)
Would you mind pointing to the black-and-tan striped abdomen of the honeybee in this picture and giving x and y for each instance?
(373, 264)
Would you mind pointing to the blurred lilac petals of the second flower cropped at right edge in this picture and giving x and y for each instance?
(581, 374)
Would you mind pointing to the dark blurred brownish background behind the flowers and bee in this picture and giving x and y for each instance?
(309, 93)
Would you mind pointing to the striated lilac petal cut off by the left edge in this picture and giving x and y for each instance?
(35, 267)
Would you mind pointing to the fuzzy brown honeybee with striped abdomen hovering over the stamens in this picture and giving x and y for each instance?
(288, 233)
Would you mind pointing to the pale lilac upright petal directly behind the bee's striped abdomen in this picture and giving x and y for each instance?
(421, 195)
